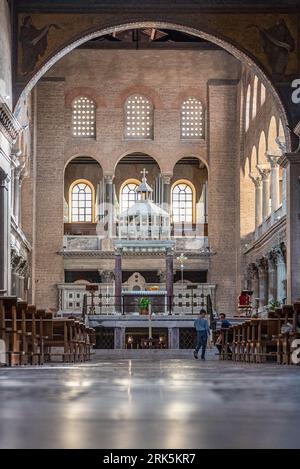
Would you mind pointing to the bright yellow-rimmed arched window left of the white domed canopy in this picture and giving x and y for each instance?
(81, 203)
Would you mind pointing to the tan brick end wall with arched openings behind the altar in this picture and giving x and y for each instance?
(167, 77)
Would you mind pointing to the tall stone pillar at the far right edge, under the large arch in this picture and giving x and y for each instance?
(291, 162)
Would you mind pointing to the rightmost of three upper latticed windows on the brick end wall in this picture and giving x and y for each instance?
(192, 125)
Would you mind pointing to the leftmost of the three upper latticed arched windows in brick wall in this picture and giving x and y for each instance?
(84, 118)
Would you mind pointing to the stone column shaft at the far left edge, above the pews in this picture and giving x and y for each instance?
(4, 232)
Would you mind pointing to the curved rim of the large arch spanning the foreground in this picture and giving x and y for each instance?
(204, 32)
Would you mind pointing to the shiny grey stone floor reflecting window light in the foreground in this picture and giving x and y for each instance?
(167, 403)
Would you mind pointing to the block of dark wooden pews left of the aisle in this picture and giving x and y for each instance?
(31, 335)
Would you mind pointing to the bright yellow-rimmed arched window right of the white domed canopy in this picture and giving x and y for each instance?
(183, 202)
